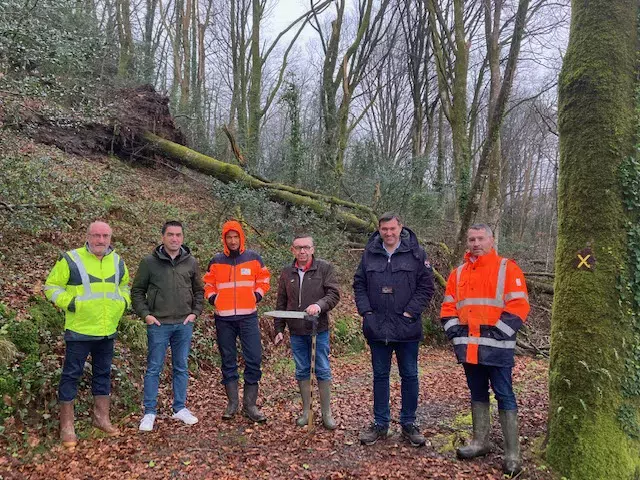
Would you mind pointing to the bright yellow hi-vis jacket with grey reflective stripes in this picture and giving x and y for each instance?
(93, 292)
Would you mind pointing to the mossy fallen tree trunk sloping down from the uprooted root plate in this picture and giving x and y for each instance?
(322, 205)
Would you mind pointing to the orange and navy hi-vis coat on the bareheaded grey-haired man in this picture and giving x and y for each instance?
(485, 304)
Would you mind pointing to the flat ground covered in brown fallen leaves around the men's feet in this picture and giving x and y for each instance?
(278, 449)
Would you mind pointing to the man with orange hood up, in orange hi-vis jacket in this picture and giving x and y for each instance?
(236, 280)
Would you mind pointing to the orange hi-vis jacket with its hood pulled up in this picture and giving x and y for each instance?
(235, 280)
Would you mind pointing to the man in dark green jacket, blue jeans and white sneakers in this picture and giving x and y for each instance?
(168, 294)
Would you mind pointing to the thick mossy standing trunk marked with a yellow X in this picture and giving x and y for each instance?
(589, 329)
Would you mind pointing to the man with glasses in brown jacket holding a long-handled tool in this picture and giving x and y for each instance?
(309, 284)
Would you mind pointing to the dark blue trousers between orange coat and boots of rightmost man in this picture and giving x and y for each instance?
(478, 378)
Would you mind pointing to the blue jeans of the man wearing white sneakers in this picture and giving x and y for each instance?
(159, 337)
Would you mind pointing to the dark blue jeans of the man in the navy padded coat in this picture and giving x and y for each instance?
(407, 357)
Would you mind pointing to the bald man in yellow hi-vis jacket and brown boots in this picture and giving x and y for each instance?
(91, 284)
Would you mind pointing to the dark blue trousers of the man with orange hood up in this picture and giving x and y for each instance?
(249, 332)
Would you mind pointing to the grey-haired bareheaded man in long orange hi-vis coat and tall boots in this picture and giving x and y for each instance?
(485, 304)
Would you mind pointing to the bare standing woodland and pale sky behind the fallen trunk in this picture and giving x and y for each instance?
(442, 110)
